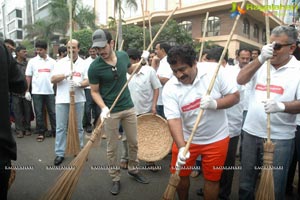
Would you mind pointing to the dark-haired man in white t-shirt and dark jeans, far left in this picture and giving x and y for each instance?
(38, 74)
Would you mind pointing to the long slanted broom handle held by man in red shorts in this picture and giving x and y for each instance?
(187, 146)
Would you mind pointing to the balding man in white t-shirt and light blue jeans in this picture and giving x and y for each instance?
(61, 76)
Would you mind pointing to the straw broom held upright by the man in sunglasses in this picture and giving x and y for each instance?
(265, 189)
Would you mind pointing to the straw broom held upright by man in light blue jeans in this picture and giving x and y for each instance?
(72, 147)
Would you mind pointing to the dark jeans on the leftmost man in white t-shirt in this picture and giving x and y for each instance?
(38, 102)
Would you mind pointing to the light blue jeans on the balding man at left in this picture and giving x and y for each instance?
(62, 116)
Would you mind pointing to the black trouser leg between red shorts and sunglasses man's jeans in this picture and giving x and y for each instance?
(228, 172)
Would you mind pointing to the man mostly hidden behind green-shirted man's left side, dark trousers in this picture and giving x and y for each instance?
(90, 107)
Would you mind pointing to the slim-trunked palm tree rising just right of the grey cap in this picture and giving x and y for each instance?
(119, 11)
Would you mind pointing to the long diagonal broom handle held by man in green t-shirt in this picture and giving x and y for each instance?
(93, 137)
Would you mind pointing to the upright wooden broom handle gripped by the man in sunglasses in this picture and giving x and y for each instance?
(268, 74)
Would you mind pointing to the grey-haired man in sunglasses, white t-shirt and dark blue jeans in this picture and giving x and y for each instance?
(282, 105)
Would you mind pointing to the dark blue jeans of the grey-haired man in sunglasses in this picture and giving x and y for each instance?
(253, 157)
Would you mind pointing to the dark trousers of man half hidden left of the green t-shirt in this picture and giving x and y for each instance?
(91, 109)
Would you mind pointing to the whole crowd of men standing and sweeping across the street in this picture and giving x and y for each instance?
(172, 83)
